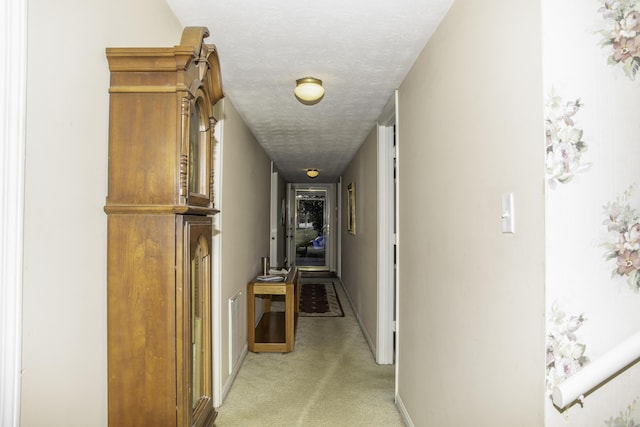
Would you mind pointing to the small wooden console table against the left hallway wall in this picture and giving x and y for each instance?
(275, 332)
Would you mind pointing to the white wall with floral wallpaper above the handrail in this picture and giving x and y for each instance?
(581, 280)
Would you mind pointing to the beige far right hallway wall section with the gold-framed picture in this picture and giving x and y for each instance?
(359, 252)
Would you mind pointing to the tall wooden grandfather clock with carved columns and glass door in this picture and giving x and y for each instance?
(159, 206)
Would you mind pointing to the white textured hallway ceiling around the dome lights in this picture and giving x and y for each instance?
(360, 49)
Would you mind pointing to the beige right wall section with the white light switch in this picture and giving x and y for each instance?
(471, 299)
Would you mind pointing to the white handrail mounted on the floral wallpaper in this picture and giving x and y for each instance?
(597, 372)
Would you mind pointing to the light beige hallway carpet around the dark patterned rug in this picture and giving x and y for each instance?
(330, 379)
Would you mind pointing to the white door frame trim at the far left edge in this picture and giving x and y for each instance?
(12, 176)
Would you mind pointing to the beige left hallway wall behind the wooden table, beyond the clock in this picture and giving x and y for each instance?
(244, 218)
